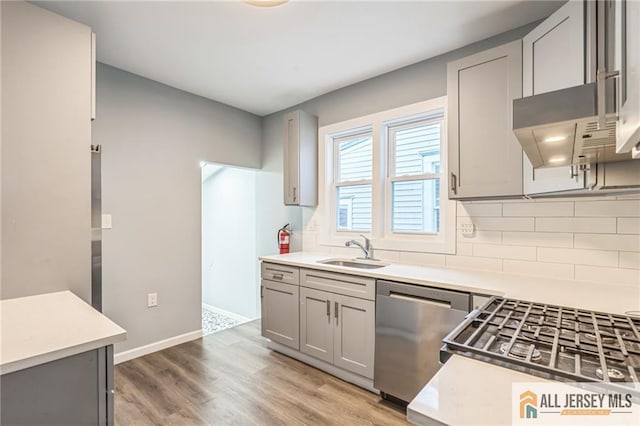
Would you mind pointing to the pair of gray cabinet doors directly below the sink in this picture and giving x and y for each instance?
(338, 329)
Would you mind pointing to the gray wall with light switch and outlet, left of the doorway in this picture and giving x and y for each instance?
(153, 139)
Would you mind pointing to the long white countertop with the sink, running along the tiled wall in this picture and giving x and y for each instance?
(604, 297)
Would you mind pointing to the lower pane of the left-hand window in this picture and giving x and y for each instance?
(354, 208)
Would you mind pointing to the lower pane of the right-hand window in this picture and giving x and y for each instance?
(416, 206)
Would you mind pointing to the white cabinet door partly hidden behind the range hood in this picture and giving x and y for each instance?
(560, 39)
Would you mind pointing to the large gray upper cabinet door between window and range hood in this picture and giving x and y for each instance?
(485, 158)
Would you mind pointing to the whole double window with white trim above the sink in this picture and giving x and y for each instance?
(381, 176)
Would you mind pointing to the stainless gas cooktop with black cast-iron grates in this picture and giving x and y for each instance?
(551, 341)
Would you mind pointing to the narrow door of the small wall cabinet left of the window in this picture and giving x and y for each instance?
(291, 158)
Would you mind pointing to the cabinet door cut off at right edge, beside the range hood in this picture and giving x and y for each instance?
(628, 62)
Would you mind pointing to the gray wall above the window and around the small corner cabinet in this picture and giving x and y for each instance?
(418, 82)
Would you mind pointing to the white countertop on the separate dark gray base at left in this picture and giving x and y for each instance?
(46, 327)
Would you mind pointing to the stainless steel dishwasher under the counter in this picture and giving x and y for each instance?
(411, 321)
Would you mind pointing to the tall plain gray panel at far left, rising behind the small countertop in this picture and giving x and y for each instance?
(46, 135)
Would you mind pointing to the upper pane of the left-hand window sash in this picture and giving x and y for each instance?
(355, 158)
